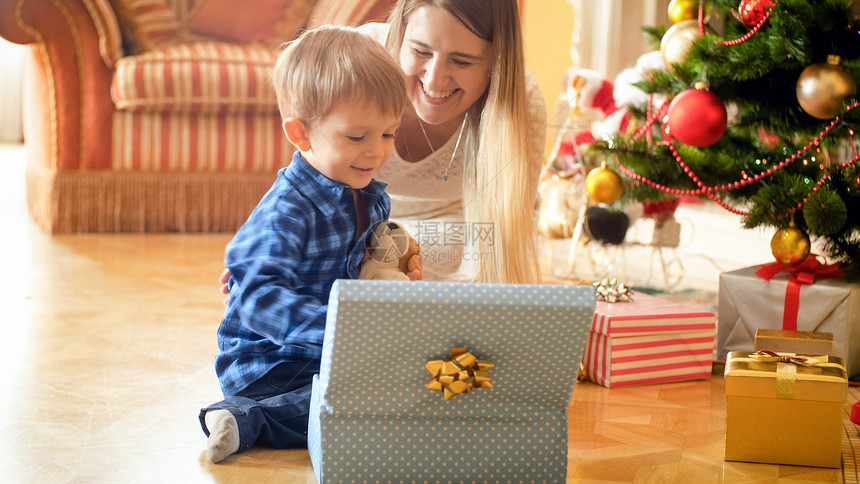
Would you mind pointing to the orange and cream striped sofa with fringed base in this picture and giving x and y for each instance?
(156, 115)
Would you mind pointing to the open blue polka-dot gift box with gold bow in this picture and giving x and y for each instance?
(447, 382)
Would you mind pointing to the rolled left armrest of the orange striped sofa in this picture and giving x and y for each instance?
(67, 89)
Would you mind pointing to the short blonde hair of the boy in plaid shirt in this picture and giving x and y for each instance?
(332, 65)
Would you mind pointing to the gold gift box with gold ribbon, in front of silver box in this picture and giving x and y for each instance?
(776, 418)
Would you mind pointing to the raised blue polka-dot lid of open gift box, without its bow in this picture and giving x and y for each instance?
(380, 335)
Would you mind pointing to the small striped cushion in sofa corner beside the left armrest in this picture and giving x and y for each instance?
(145, 24)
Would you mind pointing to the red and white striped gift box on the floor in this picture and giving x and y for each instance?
(649, 340)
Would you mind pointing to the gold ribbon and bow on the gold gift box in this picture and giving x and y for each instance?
(786, 368)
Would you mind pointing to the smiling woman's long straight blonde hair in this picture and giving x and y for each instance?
(499, 180)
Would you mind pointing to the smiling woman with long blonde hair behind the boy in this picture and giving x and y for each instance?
(468, 198)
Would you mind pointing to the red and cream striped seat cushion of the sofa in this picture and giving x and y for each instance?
(201, 77)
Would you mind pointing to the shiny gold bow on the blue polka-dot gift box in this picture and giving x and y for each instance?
(460, 374)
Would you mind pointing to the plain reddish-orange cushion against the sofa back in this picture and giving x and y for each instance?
(269, 22)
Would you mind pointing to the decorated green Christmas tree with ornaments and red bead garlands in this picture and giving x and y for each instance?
(786, 155)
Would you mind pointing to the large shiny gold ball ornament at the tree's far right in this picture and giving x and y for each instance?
(822, 88)
